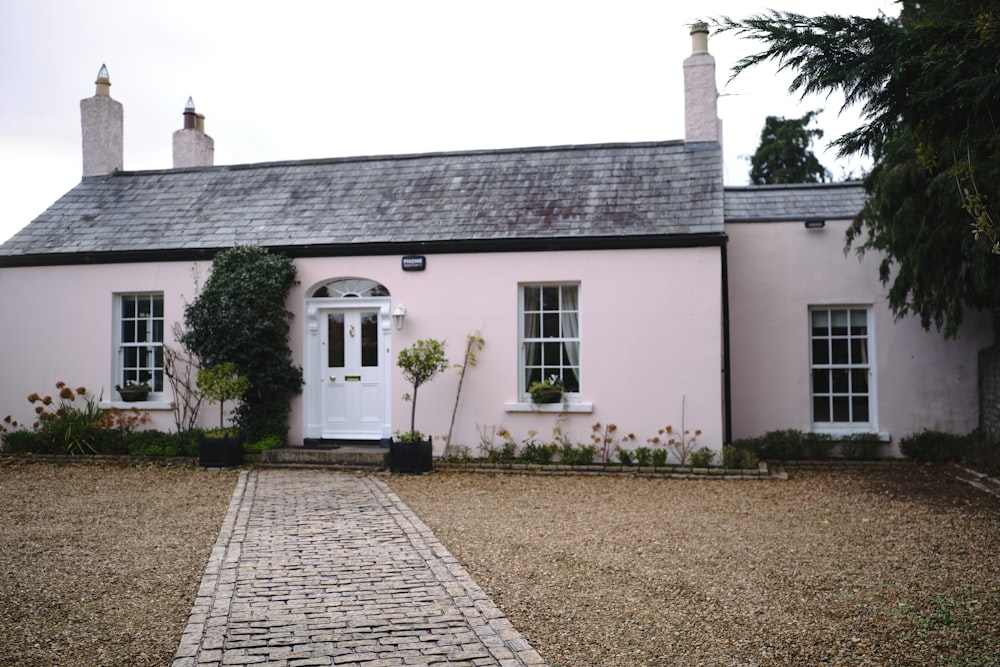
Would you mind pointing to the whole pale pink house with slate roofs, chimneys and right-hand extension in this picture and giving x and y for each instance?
(627, 270)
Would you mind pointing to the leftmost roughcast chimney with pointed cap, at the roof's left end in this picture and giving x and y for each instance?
(103, 122)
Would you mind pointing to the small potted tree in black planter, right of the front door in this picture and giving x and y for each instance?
(410, 452)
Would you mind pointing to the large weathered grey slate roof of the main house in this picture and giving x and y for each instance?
(602, 191)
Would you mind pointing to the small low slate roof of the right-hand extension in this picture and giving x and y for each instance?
(796, 203)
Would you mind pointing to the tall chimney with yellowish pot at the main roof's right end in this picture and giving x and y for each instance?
(701, 114)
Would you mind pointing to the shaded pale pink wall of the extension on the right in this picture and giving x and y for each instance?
(776, 272)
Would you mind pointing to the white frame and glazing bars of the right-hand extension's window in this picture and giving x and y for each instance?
(869, 365)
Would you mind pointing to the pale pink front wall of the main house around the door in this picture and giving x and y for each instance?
(650, 322)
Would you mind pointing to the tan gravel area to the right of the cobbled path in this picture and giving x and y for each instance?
(887, 565)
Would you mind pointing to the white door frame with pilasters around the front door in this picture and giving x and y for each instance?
(316, 311)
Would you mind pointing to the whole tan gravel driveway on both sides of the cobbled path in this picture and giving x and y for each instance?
(888, 565)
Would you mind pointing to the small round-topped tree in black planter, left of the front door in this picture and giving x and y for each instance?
(221, 447)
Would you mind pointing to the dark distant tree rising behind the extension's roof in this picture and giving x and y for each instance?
(784, 154)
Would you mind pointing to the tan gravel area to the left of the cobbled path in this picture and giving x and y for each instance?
(100, 565)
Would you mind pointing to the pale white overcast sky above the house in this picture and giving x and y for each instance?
(308, 79)
